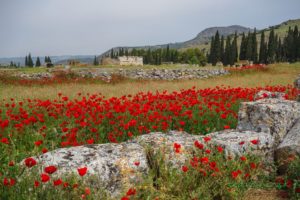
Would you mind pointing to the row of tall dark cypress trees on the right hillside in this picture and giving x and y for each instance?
(271, 49)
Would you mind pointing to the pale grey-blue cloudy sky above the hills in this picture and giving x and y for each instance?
(90, 27)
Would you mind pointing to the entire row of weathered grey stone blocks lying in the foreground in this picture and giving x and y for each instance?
(274, 122)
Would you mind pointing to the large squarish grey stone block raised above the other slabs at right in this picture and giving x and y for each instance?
(274, 116)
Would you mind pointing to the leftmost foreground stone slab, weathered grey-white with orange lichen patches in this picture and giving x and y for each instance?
(114, 164)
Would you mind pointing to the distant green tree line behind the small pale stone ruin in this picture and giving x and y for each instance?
(163, 55)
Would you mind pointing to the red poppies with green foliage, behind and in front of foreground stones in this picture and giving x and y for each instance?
(31, 127)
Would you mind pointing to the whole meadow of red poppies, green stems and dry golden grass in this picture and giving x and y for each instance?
(33, 123)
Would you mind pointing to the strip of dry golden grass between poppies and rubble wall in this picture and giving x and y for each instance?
(279, 74)
